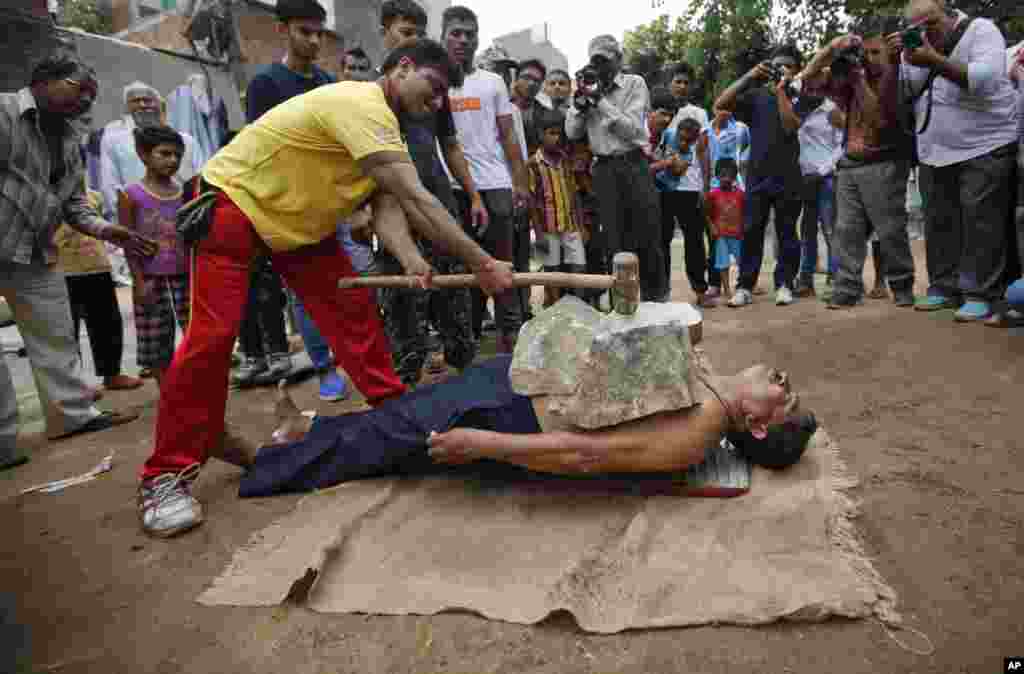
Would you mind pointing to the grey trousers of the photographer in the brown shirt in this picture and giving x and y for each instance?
(872, 197)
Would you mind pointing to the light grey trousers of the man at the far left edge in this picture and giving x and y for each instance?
(38, 300)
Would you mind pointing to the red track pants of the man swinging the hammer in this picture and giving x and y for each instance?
(194, 392)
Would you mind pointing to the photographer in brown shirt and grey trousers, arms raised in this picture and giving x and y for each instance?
(871, 190)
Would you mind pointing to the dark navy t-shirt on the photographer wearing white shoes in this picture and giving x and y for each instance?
(775, 163)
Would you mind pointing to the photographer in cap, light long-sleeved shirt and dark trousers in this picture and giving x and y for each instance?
(611, 107)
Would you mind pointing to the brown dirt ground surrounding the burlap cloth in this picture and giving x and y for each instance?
(923, 411)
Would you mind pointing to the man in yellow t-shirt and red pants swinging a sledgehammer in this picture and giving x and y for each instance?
(284, 184)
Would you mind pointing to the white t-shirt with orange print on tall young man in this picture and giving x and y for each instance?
(476, 108)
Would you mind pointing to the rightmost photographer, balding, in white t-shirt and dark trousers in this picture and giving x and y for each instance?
(966, 106)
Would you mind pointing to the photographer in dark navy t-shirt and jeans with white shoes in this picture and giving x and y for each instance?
(775, 180)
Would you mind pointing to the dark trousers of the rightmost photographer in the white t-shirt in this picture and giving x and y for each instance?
(967, 208)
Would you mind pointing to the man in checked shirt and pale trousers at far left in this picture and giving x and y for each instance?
(42, 179)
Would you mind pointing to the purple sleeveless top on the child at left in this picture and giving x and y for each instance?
(155, 219)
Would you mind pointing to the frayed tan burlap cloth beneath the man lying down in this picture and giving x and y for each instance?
(520, 551)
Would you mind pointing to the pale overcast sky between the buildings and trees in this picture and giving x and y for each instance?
(571, 23)
